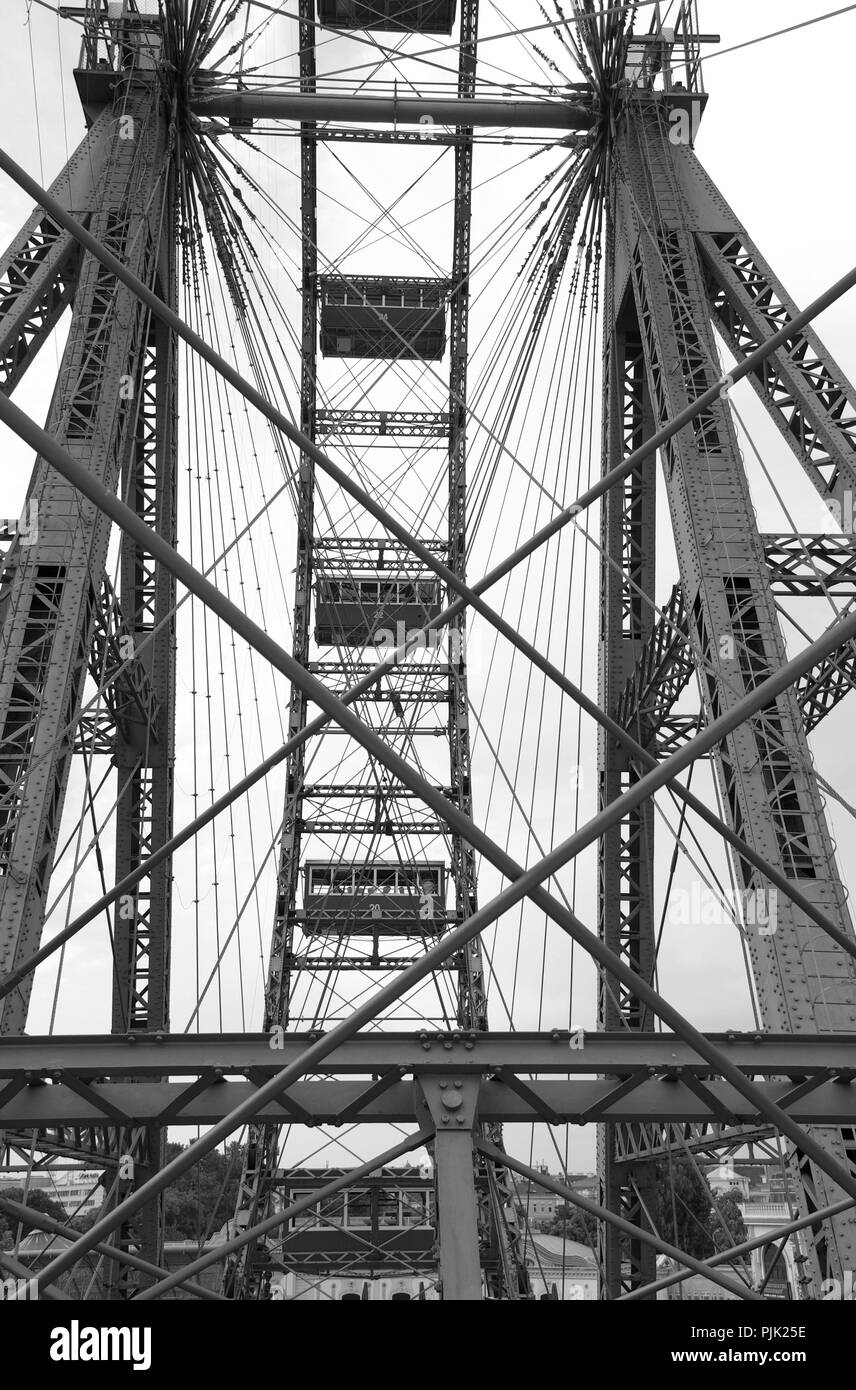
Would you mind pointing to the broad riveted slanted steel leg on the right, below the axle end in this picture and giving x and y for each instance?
(764, 767)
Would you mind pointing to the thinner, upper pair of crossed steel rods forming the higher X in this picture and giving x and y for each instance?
(469, 593)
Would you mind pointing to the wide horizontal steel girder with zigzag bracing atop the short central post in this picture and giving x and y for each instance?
(650, 1078)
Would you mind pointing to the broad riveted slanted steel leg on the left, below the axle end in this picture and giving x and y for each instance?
(55, 591)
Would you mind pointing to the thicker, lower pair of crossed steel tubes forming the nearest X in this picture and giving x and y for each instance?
(526, 883)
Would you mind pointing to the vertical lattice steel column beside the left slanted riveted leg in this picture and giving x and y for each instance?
(145, 765)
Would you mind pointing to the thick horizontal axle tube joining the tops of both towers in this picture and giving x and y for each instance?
(420, 111)
